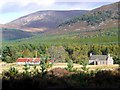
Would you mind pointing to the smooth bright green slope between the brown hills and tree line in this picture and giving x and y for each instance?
(109, 36)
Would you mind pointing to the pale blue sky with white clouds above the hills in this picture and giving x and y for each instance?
(13, 9)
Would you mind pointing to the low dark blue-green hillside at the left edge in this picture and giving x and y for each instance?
(8, 33)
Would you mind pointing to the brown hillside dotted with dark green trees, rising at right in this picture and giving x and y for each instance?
(98, 19)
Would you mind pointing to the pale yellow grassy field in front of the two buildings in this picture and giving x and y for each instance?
(4, 66)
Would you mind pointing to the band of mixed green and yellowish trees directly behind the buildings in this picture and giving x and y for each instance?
(59, 53)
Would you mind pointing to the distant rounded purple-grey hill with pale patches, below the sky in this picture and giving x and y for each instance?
(44, 20)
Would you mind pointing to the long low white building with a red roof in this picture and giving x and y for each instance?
(31, 61)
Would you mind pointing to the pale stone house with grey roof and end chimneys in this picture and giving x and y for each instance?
(100, 59)
